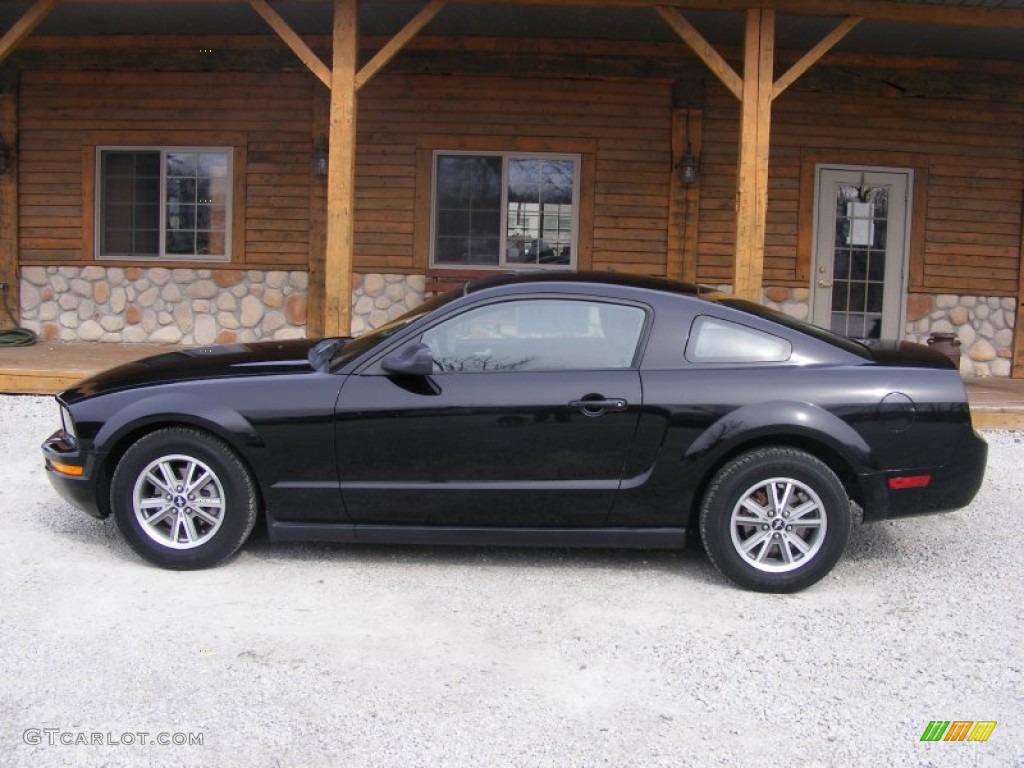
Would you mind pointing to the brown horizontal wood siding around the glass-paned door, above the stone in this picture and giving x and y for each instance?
(974, 160)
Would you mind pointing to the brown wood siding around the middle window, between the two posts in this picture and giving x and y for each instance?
(629, 121)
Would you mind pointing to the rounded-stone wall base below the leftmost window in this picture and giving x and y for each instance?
(156, 305)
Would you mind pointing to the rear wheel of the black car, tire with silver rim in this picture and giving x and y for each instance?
(776, 520)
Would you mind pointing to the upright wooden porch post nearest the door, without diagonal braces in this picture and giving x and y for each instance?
(755, 132)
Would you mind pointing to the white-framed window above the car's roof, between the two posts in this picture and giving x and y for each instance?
(504, 210)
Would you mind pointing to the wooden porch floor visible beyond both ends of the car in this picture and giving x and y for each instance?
(50, 367)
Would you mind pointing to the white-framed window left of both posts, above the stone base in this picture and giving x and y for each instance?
(164, 202)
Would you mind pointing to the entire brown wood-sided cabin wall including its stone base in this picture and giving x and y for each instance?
(965, 148)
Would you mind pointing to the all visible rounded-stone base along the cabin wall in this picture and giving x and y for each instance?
(208, 307)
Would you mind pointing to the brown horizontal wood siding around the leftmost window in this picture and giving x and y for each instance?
(60, 110)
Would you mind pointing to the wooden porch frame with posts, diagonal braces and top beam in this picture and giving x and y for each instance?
(755, 88)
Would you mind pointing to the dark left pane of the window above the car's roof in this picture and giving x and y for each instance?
(468, 217)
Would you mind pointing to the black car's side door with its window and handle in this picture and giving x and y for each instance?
(527, 420)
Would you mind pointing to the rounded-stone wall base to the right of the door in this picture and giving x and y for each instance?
(984, 325)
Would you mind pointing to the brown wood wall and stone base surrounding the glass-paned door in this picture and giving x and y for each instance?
(967, 156)
